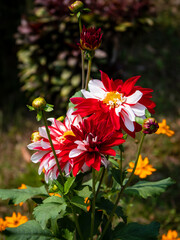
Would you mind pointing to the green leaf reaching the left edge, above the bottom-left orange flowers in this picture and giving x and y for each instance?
(21, 195)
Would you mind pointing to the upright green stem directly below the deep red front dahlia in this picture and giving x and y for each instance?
(93, 204)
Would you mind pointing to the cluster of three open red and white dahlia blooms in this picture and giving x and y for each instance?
(85, 138)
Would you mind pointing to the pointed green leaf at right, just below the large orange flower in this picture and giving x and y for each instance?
(147, 189)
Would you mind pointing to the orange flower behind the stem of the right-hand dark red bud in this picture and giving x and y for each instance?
(143, 167)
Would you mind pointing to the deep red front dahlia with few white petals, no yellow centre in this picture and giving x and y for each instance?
(89, 144)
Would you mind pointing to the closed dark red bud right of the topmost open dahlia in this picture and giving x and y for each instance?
(150, 125)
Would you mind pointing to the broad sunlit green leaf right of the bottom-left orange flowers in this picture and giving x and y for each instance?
(50, 209)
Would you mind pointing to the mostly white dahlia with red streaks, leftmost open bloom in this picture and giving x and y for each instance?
(44, 154)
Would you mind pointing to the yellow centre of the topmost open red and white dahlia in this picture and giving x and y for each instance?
(114, 99)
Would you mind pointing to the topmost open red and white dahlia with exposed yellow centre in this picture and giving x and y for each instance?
(119, 102)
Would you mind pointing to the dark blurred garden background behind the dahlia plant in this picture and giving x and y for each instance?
(40, 57)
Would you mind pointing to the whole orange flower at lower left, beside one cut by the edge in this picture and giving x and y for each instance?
(15, 220)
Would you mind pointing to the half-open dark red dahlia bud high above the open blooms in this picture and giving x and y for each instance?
(90, 39)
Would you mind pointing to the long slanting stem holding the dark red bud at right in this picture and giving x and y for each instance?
(123, 187)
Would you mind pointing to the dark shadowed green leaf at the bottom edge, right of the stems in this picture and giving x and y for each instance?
(135, 231)
